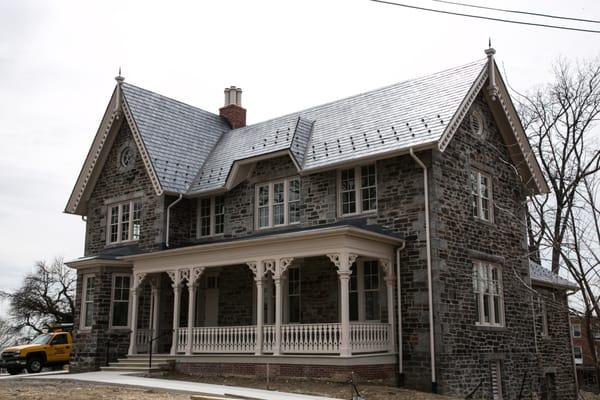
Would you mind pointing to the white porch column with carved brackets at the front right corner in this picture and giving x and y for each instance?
(343, 262)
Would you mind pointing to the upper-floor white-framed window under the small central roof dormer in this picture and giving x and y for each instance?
(278, 203)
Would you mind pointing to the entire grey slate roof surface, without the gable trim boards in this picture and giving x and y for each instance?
(193, 151)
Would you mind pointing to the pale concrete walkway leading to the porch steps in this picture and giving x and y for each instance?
(124, 378)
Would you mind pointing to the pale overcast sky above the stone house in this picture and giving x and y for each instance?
(58, 60)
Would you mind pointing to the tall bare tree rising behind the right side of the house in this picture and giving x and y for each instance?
(560, 120)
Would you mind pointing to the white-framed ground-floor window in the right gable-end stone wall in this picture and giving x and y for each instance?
(489, 295)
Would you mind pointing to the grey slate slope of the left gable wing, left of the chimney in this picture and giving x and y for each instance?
(177, 136)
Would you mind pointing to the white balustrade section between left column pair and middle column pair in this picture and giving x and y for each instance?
(224, 339)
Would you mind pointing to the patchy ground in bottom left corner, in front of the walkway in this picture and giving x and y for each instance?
(29, 389)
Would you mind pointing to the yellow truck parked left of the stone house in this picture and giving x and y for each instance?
(52, 349)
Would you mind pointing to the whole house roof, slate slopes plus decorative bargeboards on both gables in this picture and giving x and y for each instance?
(191, 151)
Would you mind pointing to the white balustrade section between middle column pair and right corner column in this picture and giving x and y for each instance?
(310, 338)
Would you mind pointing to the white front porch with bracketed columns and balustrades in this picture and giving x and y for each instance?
(324, 293)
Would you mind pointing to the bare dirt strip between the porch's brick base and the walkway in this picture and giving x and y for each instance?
(327, 389)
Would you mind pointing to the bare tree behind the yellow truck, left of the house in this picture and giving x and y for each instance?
(46, 296)
